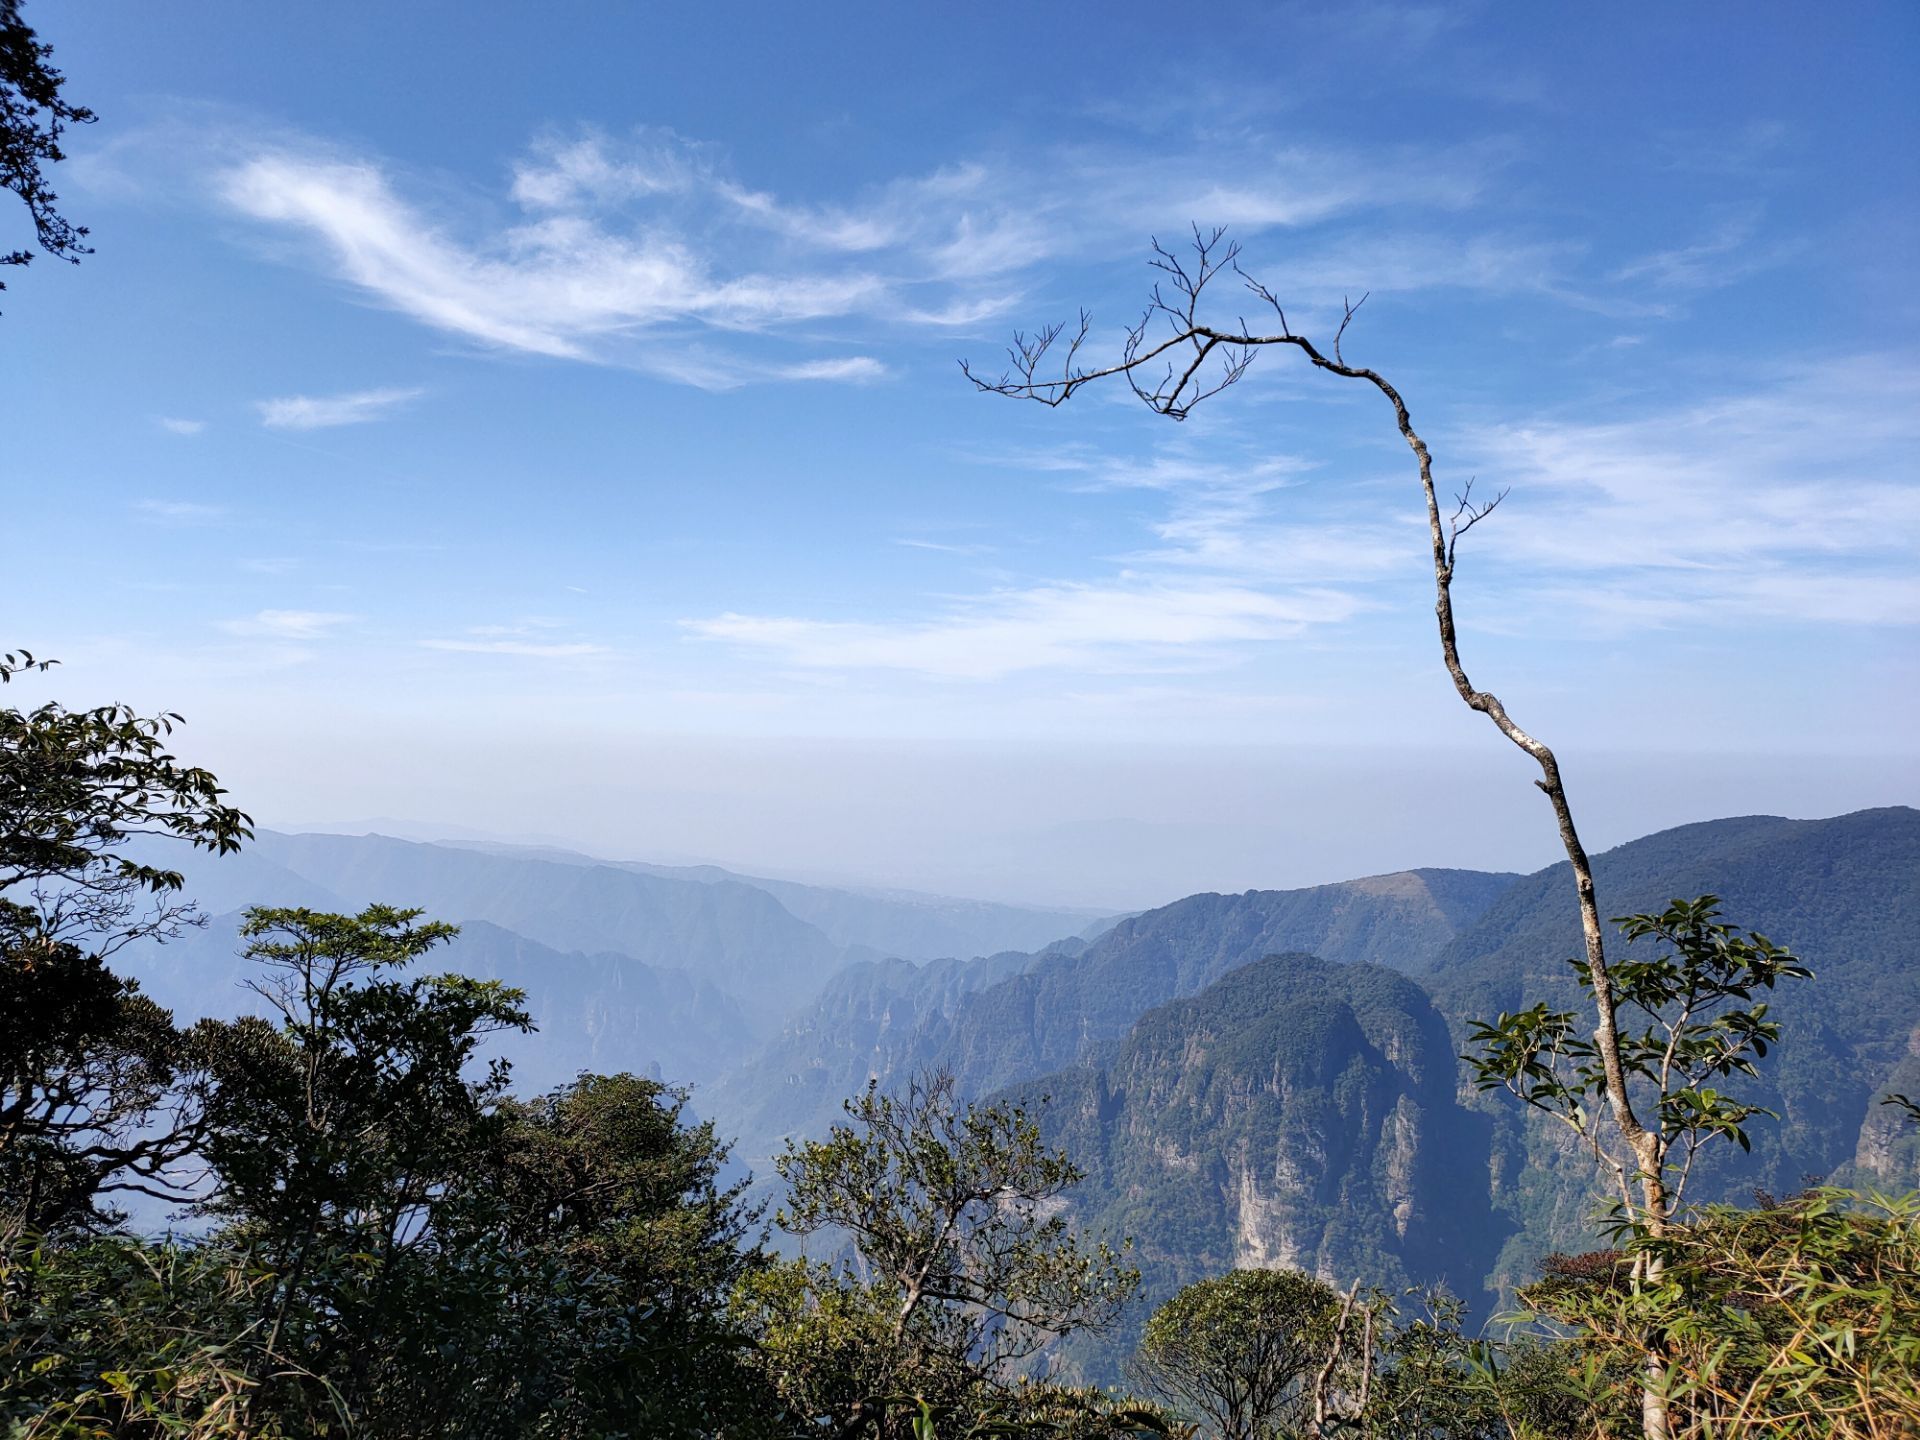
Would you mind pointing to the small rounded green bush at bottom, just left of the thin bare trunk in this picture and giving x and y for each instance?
(1239, 1351)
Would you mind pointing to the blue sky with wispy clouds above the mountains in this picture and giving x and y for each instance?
(548, 421)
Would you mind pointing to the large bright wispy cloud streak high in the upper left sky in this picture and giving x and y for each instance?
(631, 239)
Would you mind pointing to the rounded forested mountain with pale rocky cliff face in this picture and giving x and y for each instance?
(1293, 1113)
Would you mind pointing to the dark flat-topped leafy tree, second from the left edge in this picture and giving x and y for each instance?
(337, 1138)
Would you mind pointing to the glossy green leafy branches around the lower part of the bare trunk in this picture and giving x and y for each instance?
(1700, 1022)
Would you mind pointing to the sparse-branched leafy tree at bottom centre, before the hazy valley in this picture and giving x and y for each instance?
(961, 1272)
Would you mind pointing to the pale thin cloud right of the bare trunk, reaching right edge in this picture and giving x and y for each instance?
(1796, 500)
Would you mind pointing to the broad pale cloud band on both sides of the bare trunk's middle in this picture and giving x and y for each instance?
(1794, 500)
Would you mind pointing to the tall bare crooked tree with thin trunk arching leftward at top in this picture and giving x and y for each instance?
(1174, 360)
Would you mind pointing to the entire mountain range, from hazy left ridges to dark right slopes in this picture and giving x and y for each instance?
(1153, 1034)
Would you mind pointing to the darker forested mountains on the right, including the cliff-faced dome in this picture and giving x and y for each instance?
(1310, 1111)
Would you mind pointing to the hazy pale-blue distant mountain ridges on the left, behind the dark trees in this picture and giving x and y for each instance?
(723, 961)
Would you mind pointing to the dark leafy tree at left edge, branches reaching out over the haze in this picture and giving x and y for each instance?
(85, 1059)
